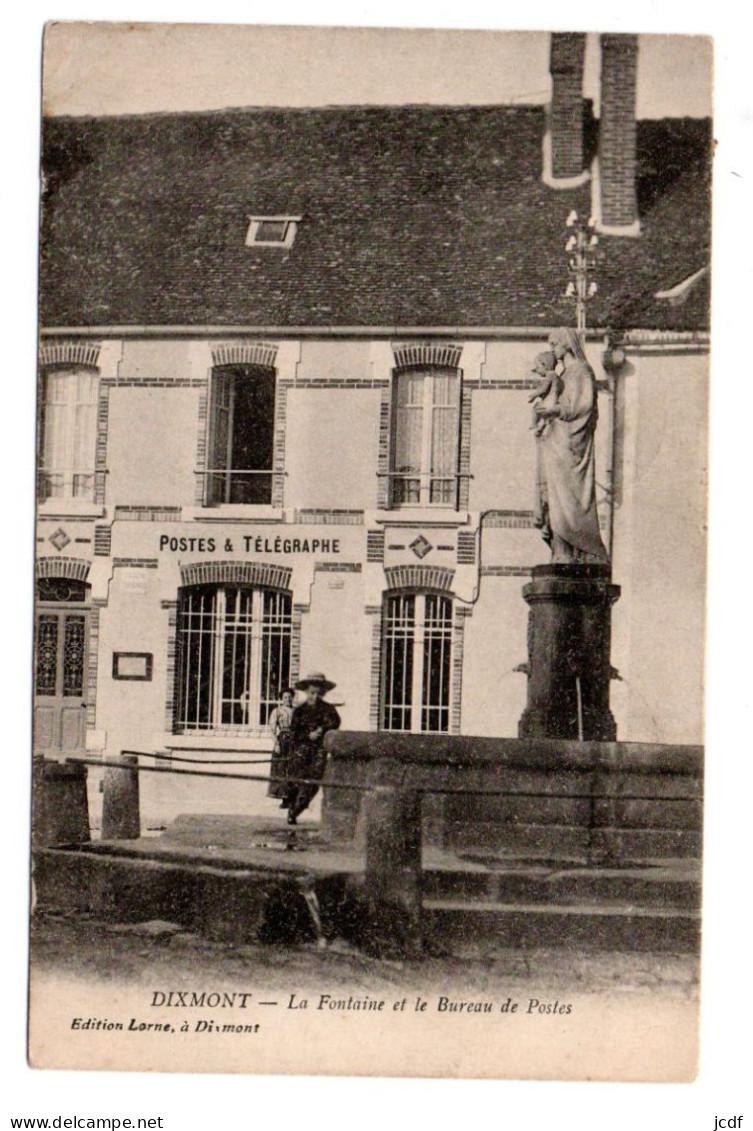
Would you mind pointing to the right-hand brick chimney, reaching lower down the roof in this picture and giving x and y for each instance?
(616, 204)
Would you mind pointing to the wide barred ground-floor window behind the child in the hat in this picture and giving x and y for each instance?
(235, 649)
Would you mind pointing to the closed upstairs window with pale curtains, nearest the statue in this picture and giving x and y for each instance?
(426, 438)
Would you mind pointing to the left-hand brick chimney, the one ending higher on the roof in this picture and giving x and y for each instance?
(566, 165)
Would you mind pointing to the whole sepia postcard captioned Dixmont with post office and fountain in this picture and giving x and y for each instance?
(371, 552)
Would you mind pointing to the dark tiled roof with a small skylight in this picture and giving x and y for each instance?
(412, 217)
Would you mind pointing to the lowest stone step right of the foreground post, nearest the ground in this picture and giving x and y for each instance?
(456, 925)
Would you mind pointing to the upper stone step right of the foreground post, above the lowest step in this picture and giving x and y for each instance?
(638, 887)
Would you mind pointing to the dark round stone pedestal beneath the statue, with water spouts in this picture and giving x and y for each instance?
(569, 667)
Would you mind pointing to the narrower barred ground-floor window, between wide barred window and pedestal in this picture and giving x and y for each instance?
(418, 646)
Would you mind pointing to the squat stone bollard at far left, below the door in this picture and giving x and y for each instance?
(60, 813)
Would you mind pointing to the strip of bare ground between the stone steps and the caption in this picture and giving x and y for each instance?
(82, 947)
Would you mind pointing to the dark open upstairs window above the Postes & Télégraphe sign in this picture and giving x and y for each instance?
(241, 436)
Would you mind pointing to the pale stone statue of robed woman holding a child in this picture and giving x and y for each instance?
(566, 502)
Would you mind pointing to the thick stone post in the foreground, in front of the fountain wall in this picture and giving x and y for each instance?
(393, 870)
